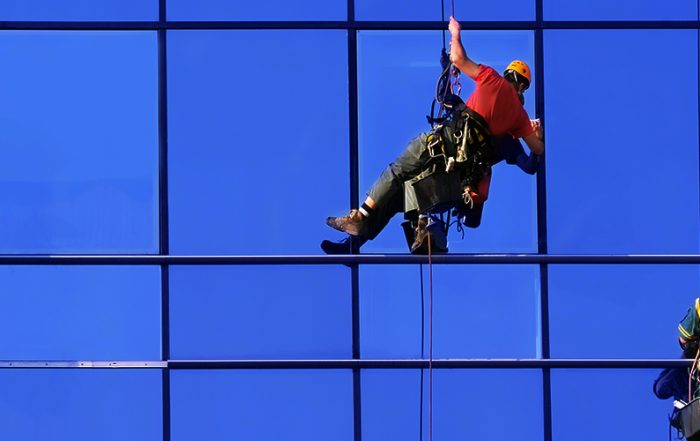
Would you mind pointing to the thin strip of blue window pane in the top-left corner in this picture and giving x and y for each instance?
(79, 10)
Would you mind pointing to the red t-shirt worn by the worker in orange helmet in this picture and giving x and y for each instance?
(497, 101)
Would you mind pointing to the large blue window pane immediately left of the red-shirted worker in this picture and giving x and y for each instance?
(257, 161)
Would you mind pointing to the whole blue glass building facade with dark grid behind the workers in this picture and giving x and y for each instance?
(216, 128)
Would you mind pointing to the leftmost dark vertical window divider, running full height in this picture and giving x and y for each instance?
(163, 222)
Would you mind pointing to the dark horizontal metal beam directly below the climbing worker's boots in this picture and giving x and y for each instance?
(358, 259)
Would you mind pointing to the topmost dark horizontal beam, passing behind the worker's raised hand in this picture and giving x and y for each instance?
(343, 25)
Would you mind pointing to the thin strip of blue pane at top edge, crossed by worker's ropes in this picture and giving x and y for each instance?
(418, 10)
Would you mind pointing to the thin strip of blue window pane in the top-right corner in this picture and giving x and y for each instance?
(620, 10)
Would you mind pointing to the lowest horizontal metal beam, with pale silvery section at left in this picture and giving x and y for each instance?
(475, 363)
